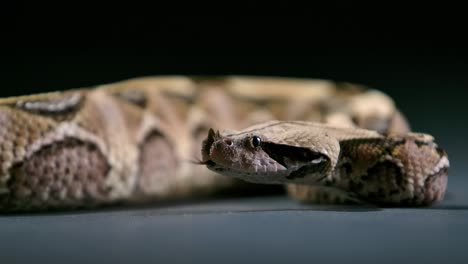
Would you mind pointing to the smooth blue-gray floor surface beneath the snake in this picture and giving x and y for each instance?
(266, 229)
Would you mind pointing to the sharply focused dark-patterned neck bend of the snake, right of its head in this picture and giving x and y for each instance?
(409, 170)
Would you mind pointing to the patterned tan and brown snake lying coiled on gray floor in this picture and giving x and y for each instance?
(155, 139)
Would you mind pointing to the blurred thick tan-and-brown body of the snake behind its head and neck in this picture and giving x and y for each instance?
(133, 141)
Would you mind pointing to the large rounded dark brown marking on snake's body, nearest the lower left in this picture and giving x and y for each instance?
(64, 172)
